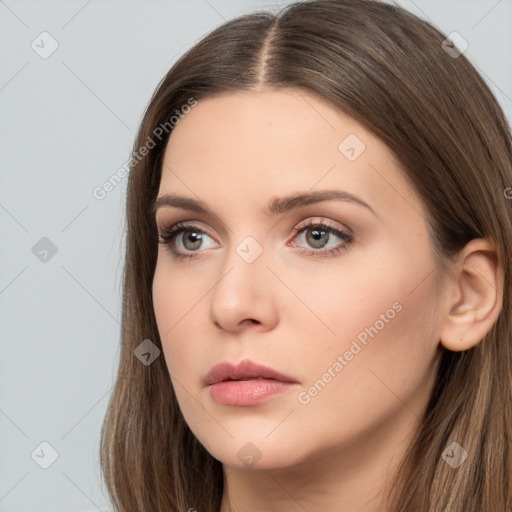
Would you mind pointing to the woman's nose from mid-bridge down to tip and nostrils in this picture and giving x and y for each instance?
(243, 296)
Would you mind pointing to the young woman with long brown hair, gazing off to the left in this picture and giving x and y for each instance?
(316, 308)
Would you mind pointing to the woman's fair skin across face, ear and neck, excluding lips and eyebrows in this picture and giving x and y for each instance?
(296, 312)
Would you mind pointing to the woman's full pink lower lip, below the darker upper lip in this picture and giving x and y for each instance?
(248, 392)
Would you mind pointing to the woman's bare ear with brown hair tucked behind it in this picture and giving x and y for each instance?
(475, 296)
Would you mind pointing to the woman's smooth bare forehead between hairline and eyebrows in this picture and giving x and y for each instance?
(273, 142)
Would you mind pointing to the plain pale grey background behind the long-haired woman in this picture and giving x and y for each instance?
(68, 123)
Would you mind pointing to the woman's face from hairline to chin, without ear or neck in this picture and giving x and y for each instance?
(337, 295)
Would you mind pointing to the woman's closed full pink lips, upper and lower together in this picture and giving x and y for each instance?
(246, 383)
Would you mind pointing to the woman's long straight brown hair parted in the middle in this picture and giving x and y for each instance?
(388, 70)
